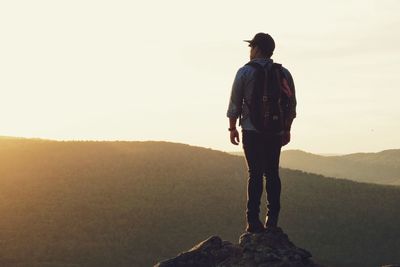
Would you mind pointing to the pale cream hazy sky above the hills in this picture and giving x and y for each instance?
(163, 70)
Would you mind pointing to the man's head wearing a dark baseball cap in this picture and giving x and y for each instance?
(262, 45)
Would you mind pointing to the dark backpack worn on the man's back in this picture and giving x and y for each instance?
(267, 106)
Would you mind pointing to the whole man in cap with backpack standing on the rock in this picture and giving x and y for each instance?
(263, 99)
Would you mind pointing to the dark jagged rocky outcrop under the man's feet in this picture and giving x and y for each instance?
(271, 248)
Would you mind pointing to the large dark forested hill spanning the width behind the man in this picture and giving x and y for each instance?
(93, 203)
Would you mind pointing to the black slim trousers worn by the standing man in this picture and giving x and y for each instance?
(262, 155)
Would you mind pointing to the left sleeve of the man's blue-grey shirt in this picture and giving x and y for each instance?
(236, 98)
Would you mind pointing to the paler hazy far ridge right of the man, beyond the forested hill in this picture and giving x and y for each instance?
(380, 168)
